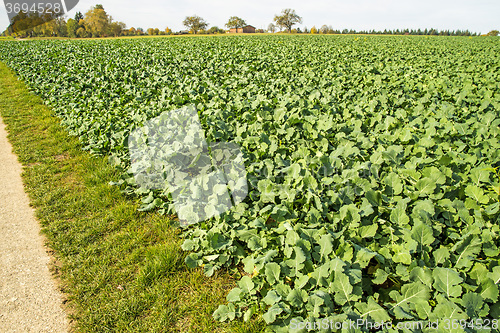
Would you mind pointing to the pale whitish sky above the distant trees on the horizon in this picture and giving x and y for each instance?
(476, 16)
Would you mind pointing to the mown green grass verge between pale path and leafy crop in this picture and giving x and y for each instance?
(121, 270)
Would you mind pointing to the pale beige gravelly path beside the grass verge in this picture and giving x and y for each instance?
(29, 299)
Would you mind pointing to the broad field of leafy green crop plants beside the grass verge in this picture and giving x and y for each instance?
(373, 164)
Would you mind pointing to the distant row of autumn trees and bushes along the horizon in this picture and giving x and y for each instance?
(98, 23)
